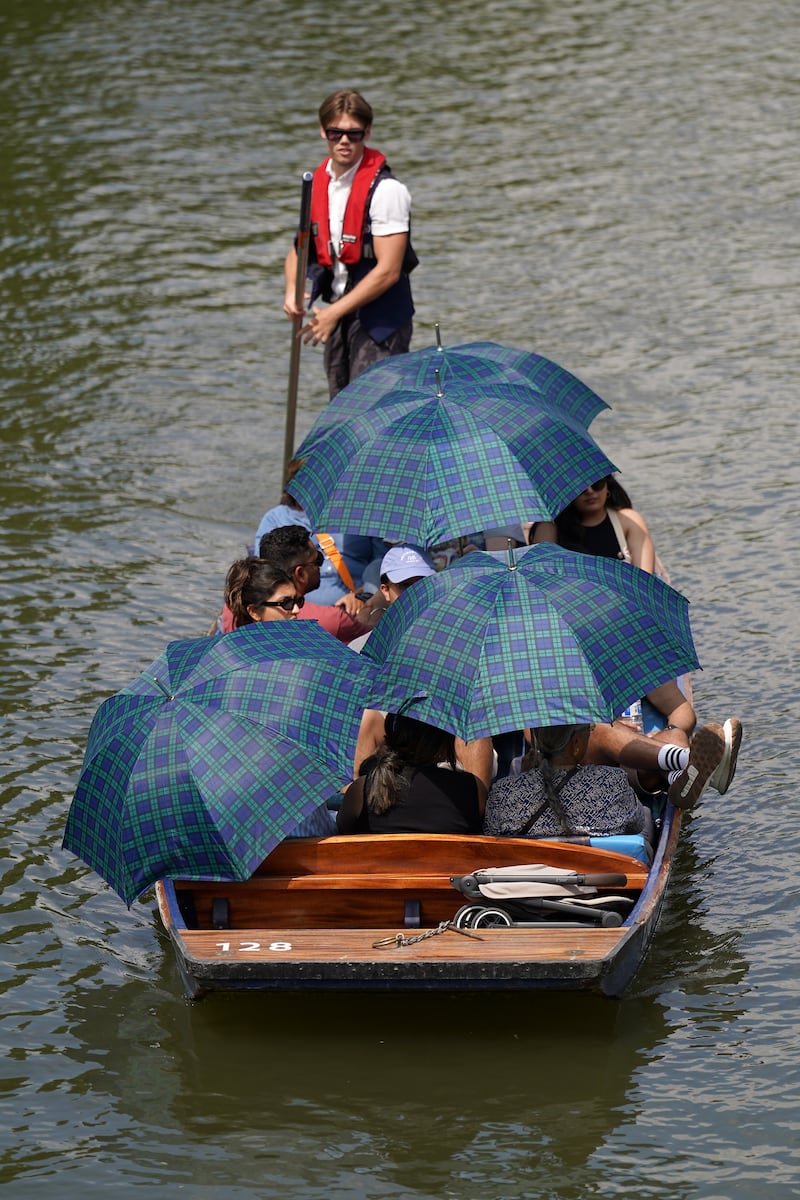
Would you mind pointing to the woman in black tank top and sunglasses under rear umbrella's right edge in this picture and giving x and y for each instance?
(601, 521)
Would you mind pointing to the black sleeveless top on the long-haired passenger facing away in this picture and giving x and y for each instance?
(432, 800)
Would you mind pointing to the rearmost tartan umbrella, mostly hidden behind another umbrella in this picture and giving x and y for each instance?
(474, 365)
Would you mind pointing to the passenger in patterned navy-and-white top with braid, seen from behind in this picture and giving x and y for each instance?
(558, 796)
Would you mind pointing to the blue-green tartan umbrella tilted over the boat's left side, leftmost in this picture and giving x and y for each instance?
(215, 754)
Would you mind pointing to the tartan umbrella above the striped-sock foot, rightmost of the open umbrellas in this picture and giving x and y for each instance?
(549, 638)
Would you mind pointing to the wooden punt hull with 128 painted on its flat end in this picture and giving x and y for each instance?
(312, 914)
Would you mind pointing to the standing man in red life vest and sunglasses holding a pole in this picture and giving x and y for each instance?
(360, 251)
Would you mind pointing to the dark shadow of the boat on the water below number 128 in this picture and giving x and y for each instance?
(424, 1091)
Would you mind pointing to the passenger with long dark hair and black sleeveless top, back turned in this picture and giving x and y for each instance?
(404, 789)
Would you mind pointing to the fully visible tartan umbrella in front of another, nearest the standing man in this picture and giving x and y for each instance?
(430, 464)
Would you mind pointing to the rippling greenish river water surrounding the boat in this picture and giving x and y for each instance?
(611, 184)
